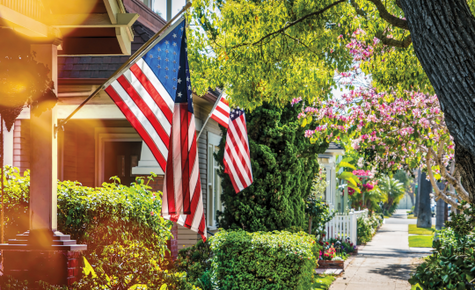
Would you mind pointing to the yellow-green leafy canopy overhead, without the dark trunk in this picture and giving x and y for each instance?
(277, 50)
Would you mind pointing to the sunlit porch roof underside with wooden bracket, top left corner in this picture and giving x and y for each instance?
(79, 27)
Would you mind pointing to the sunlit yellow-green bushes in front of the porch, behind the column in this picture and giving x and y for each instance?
(121, 225)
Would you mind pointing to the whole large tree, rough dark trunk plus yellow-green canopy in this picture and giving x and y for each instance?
(279, 50)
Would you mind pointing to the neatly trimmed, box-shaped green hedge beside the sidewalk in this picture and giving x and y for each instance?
(263, 260)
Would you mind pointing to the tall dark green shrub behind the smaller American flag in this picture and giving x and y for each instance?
(284, 163)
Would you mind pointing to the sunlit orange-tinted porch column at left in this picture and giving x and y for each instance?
(43, 158)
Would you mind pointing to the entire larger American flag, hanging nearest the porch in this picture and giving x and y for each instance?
(155, 96)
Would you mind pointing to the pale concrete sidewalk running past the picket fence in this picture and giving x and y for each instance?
(384, 263)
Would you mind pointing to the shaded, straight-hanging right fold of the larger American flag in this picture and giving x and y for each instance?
(182, 196)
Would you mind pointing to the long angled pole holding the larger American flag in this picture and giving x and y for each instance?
(131, 60)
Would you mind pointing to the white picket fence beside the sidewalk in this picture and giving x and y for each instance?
(345, 225)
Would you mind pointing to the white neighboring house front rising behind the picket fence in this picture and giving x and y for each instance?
(328, 161)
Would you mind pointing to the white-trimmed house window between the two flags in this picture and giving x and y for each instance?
(214, 183)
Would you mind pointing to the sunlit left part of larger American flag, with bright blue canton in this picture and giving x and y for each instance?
(145, 92)
